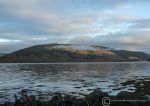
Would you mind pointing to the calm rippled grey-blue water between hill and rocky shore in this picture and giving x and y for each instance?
(72, 78)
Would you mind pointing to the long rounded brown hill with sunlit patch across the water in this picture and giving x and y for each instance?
(72, 53)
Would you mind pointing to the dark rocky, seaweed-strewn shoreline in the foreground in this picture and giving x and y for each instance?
(140, 97)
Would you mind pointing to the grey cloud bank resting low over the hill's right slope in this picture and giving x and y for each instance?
(128, 41)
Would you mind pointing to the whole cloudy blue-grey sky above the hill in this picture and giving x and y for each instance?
(119, 24)
